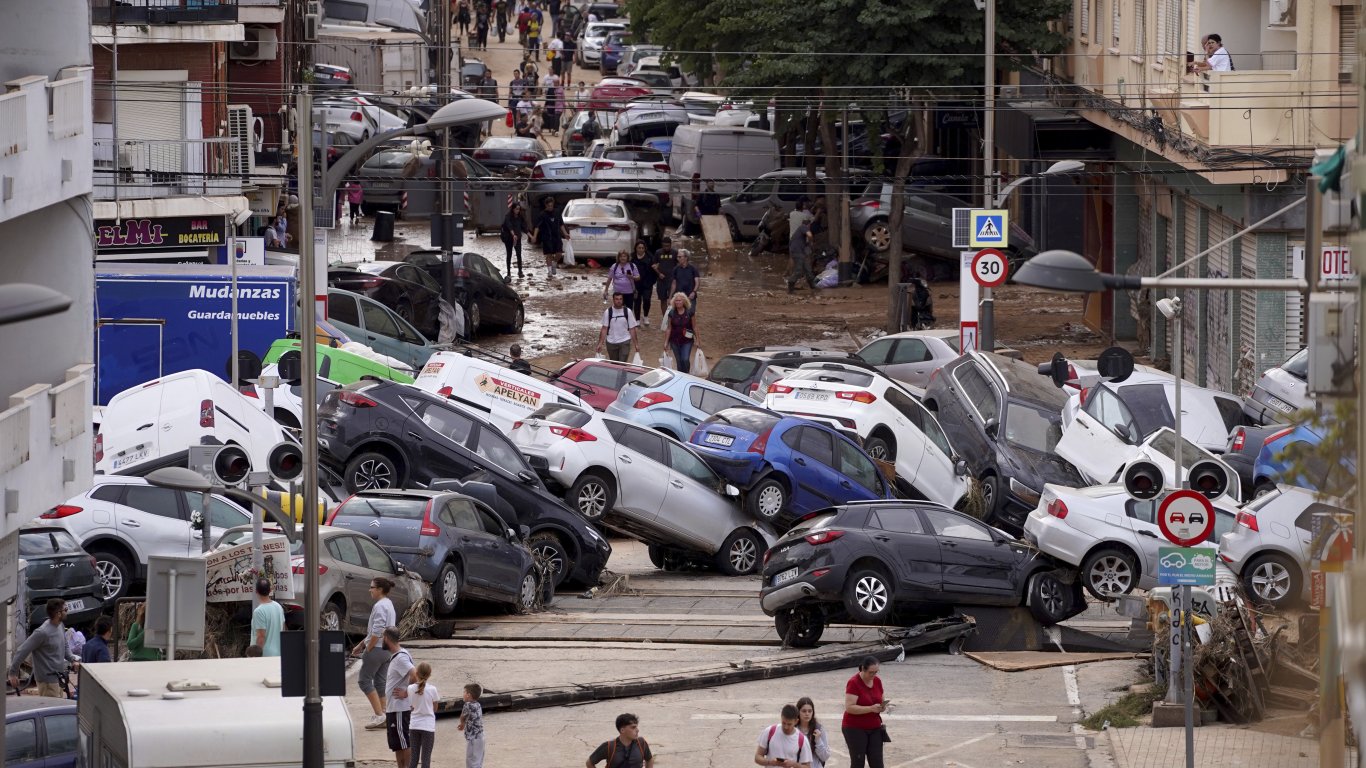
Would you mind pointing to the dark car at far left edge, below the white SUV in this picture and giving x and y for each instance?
(59, 568)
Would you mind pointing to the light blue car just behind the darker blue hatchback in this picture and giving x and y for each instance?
(673, 402)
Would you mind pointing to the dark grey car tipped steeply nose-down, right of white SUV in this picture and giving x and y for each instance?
(1006, 422)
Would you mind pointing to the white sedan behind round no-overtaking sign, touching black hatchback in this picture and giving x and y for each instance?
(1113, 538)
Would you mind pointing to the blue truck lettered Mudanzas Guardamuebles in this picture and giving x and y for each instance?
(159, 319)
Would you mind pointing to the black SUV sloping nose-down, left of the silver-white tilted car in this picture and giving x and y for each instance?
(385, 435)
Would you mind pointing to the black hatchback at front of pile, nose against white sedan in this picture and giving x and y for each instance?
(874, 561)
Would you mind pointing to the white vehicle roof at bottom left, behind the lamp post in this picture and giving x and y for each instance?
(135, 715)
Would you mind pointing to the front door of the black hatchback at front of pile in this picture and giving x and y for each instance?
(979, 568)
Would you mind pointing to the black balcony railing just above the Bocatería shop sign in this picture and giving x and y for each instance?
(154, 169)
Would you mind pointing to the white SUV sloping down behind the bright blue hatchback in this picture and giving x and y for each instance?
(889, 422)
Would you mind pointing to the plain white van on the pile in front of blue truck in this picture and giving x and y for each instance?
(152, 426)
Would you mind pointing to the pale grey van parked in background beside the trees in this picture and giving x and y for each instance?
(727, 155)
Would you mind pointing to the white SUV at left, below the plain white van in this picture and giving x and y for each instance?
(122, 521)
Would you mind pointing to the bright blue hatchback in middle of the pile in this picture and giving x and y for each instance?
(787, 467)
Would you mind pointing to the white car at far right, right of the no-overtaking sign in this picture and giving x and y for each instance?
(1272, 545)
